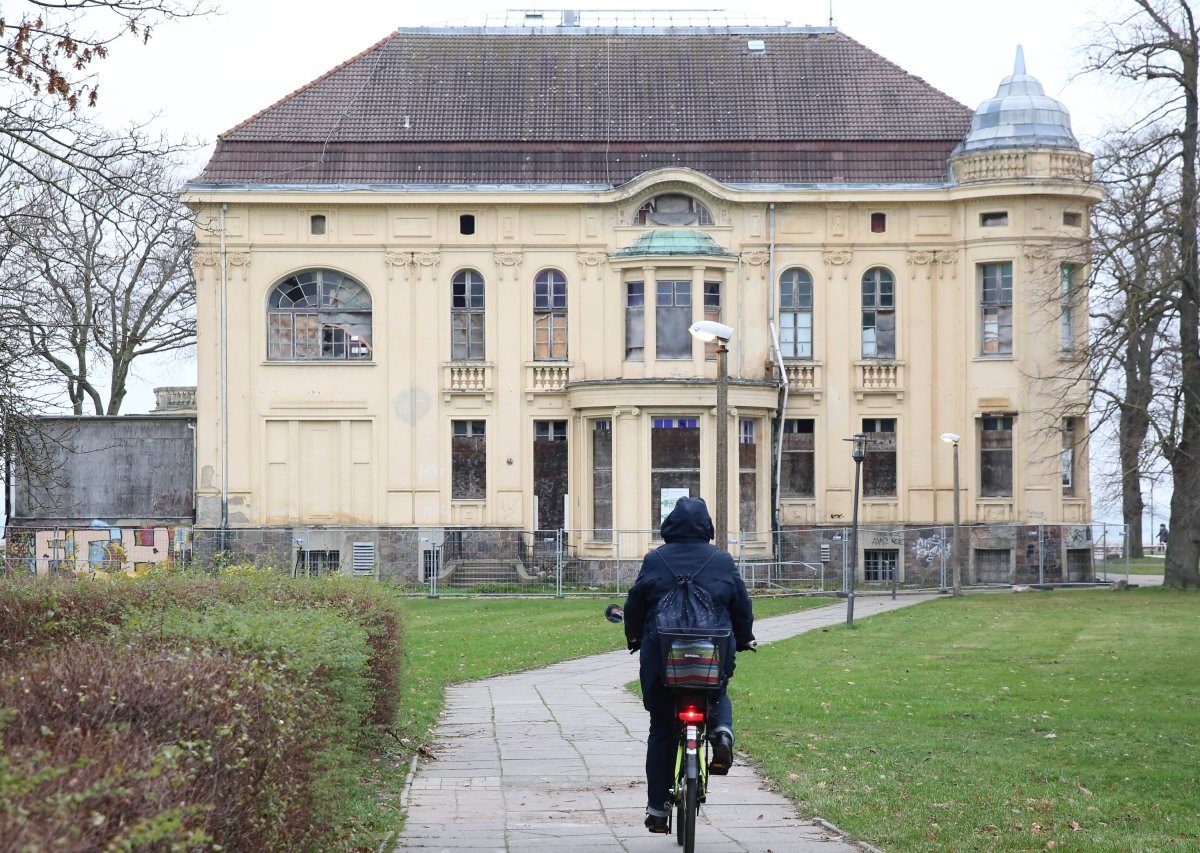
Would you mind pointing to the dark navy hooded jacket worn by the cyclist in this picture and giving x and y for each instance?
(687, 533)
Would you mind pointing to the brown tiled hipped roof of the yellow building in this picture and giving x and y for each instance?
(601, 107)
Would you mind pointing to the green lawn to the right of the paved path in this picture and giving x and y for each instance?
(1063, 720)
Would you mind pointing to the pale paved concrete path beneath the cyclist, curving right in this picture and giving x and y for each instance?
(554, 760)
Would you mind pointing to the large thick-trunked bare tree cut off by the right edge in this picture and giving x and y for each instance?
(1159, 46)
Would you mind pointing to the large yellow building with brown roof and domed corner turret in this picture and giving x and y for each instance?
(447, 289)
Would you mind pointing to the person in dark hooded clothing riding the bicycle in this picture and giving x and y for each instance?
(687, 534)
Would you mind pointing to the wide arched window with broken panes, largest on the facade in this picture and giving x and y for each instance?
(319, 316)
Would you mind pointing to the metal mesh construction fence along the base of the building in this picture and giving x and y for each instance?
(509, 562)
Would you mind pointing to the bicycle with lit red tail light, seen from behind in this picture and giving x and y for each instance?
(694, 753)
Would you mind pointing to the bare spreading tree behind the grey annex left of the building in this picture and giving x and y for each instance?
(101, 277)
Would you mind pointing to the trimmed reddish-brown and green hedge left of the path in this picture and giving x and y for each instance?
(189, 712)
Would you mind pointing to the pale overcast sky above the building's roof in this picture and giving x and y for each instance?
(201, 77)
